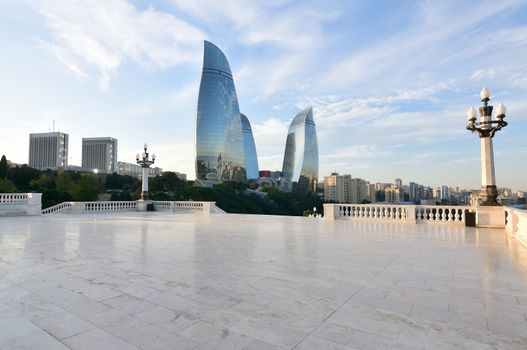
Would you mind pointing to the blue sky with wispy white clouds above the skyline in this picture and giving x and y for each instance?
(390, 82)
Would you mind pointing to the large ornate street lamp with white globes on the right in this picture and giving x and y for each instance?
(486, 128)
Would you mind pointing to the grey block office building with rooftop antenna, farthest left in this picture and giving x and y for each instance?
(48, 150)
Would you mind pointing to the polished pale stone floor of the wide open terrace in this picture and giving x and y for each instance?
(165, 281)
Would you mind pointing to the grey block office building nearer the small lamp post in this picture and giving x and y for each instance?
(100, 154)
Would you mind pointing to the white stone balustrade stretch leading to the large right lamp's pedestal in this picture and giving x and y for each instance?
(434, 214)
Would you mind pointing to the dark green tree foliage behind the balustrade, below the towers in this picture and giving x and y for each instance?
(233, 197)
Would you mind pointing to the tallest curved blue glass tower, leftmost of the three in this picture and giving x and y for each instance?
(219, 139)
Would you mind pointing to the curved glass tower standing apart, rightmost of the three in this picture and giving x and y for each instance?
(301, 152)
